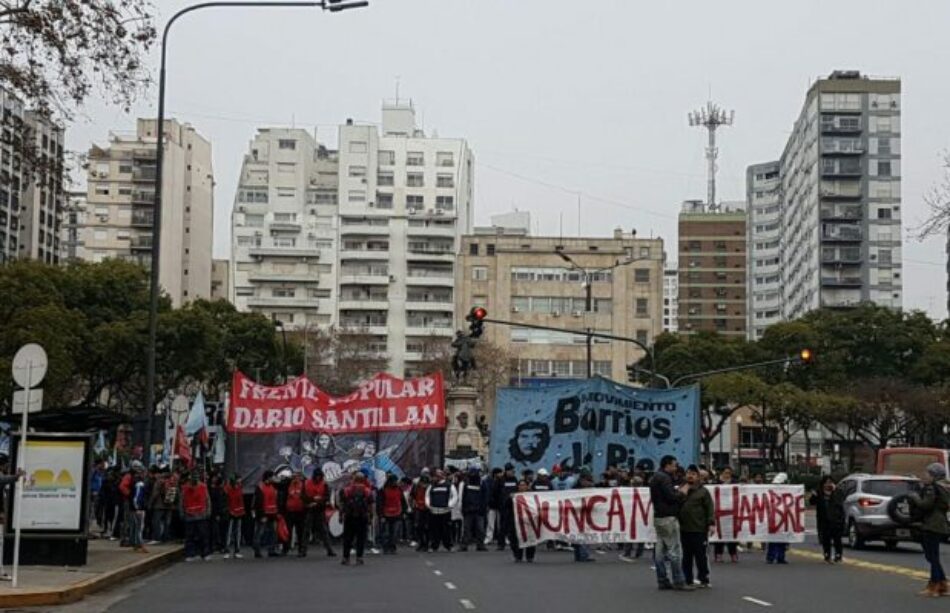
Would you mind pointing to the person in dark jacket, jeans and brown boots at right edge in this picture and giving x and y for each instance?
(933, 502)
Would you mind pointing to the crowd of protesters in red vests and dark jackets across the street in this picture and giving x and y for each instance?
(450, 509)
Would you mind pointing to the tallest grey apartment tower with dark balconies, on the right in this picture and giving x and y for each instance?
(840, 178)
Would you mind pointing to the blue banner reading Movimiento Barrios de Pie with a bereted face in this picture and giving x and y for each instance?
(595, 423)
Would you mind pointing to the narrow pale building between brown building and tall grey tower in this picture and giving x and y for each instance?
(764, 213)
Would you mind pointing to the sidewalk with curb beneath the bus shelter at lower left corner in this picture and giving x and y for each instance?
(107, 565)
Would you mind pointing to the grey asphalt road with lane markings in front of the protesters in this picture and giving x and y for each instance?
(449, 582)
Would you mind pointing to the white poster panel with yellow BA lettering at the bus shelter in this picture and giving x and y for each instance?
(52, 496)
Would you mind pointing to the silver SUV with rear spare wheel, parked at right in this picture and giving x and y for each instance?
(865, 505)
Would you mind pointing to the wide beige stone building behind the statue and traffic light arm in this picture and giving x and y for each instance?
(523, 279)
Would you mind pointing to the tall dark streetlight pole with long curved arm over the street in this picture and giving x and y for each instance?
(333, 6)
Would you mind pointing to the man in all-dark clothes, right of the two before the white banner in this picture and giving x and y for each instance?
(697, 517)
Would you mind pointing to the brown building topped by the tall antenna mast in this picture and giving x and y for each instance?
(712, 269)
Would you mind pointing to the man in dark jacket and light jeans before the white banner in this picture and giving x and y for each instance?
(667, 500)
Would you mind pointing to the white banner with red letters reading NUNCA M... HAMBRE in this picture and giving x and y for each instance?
(746, 513)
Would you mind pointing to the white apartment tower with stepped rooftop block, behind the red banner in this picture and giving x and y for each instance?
(405, 201)
